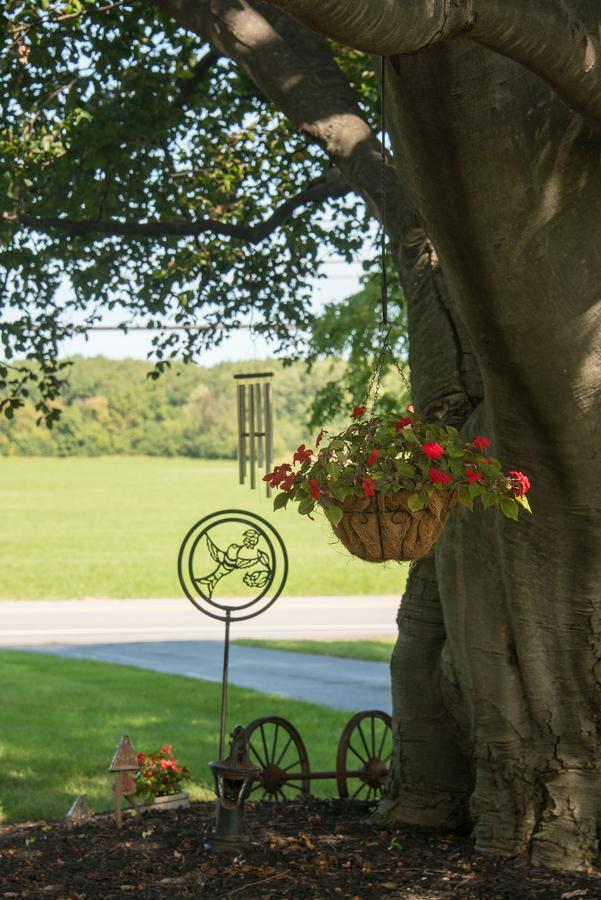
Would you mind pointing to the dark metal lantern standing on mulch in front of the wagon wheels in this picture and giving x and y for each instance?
(233, 776)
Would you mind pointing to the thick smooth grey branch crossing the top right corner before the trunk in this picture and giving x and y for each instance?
(559, 40)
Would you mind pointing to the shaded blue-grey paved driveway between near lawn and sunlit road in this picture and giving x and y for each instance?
(339, 683)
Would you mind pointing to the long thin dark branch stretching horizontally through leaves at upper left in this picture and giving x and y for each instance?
(331, 186)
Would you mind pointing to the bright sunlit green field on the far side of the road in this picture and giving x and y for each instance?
(111, 527)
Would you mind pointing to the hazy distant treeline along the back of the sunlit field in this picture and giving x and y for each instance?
(110, 408)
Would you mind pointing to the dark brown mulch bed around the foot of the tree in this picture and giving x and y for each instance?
(317, 849)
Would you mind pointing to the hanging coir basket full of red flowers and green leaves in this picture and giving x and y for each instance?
(387, 484)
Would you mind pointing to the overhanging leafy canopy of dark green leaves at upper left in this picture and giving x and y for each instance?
(143, 170)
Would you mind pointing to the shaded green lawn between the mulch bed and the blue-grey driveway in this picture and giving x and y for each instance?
(62, 719)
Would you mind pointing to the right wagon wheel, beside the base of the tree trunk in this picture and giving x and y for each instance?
(365, 749)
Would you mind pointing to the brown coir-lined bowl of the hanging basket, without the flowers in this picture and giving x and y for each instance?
(383, 527)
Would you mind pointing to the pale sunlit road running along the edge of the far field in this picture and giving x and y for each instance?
(27, 623)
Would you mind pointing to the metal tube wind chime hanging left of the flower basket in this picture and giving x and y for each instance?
(255, 425)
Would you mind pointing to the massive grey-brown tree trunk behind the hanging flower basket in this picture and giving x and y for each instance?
(497, 669)
